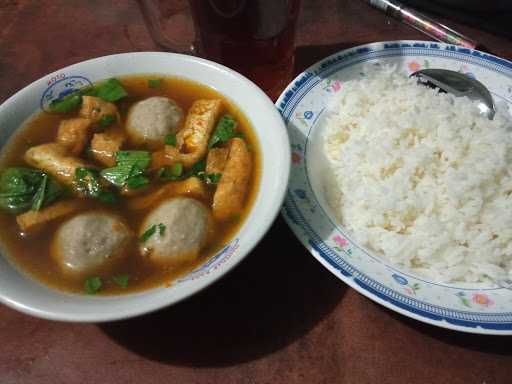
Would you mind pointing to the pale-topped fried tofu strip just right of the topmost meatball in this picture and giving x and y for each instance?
(192, 139)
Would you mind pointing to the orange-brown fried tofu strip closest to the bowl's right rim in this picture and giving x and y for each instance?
(229, 198)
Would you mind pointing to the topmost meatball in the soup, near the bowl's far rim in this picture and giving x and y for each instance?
(150, 120)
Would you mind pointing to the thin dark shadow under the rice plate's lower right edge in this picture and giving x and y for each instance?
(483, 343)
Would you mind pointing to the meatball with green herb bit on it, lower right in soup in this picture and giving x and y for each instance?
(180, 226)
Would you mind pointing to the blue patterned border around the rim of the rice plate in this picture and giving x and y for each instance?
(500, 323)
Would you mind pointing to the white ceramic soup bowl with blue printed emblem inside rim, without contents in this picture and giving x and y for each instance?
(25, 294)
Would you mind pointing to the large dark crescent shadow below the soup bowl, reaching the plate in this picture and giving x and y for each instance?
(274, 297)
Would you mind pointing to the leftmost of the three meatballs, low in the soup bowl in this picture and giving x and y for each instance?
(89, 241)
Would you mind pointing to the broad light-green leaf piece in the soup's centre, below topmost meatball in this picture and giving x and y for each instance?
(129, 169)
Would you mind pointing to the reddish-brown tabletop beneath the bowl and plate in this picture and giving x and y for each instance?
(280, 317)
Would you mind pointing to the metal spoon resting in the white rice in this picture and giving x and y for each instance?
(459, 84)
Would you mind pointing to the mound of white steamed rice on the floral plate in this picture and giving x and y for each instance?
(421, 178)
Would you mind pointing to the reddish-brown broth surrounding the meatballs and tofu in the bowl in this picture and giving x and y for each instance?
(31, 252)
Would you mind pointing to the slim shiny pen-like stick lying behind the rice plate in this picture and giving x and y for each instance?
(423, 23)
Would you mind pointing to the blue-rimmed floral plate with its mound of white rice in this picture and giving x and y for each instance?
(401, 191)
